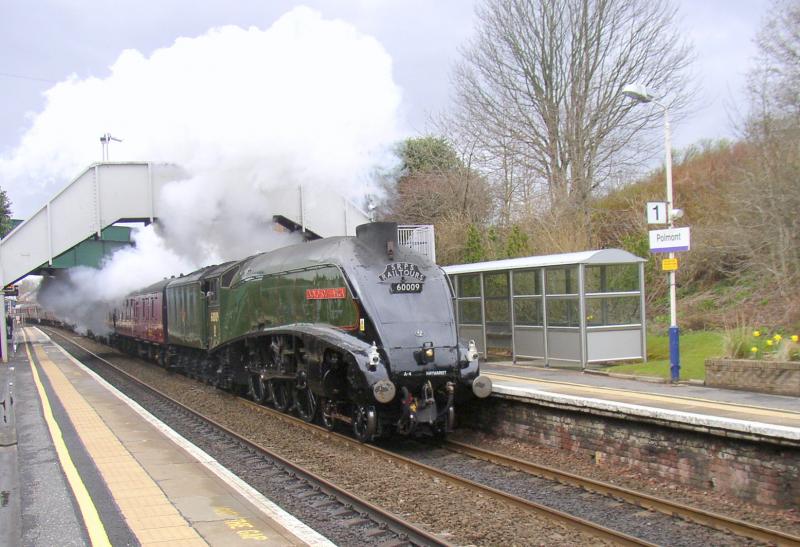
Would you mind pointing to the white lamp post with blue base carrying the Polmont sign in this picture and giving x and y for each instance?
(641, 94)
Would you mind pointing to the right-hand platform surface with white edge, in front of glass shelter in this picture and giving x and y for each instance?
(756, 416)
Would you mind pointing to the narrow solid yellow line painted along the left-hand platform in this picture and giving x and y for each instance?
(91, 519)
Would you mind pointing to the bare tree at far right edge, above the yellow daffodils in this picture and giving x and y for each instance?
(765, 227)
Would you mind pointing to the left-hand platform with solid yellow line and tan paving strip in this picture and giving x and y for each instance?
(81, 464)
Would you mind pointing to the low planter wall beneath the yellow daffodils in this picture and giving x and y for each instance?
(778, 377)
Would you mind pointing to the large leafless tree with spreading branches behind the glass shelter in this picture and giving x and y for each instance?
(542, 79)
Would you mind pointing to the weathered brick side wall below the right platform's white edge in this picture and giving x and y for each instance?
(758, 472)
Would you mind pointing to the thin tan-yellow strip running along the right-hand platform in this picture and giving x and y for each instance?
(681, 400)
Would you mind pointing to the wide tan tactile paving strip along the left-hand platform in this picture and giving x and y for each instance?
(146, 509)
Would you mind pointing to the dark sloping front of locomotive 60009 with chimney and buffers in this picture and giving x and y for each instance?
(409, 300)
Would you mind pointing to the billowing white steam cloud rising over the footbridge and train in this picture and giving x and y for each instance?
(308, 101)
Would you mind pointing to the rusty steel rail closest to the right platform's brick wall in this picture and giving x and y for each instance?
(699, 516)
